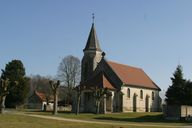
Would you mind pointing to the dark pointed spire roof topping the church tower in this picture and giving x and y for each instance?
(92, 42)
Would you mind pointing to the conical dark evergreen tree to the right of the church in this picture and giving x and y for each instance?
(176, 94)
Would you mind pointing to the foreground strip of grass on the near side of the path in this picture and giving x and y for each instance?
(24, 121)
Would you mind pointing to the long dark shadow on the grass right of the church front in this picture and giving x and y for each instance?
(147, 119)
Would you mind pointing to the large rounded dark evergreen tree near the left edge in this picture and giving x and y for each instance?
(15, 71)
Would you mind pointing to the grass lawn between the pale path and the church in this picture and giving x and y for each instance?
(141, 118)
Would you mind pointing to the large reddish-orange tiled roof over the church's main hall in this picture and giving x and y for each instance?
(132, 76)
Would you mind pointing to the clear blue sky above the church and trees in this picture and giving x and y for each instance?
(155, 35)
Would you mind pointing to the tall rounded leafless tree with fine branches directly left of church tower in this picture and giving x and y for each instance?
(69, 73)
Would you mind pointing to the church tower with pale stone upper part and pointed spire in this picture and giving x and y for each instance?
(92, 55)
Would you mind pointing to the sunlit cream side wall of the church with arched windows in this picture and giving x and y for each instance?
(140, 103)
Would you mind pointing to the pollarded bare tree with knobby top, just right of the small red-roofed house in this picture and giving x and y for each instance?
(54, 87)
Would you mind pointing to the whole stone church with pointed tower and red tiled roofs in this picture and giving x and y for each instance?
(131, 88)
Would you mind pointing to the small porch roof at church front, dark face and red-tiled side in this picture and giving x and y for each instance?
(99, 80)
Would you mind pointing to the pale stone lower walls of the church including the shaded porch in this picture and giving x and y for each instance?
(135, 100)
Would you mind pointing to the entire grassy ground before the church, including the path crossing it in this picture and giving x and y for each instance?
(119, 120)
